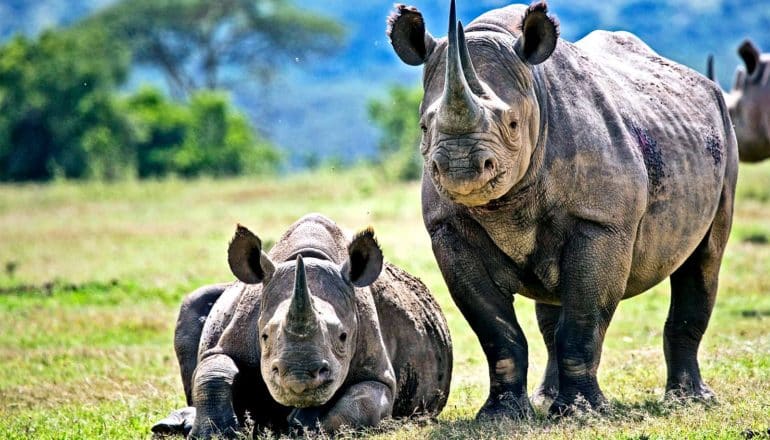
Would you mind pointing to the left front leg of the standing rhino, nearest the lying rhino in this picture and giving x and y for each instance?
(467, 266)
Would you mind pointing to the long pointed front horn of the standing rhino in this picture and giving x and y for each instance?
(459, 109)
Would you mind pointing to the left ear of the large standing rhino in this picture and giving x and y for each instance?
(406, 31)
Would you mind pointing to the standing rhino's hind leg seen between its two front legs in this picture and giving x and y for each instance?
(547, 318)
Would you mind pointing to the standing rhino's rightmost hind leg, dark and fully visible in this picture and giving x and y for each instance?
(693, 293)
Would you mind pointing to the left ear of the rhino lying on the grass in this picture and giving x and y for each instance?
(247, 261)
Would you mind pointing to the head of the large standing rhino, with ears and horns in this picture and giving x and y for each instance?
(480, 116)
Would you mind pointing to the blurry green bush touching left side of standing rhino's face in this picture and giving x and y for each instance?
(397, 118)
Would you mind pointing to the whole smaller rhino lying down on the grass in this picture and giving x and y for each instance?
(298, 342)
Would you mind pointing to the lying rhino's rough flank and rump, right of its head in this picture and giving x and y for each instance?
(417, 339)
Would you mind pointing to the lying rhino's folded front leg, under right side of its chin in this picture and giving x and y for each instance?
(361, 405)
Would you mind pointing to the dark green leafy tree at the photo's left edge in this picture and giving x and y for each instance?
(57, 116)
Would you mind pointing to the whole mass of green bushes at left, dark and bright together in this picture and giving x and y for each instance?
(60, 117)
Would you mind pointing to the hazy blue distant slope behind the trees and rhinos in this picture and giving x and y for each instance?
(318, 108)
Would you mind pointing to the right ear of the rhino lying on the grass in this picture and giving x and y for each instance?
(364, 259)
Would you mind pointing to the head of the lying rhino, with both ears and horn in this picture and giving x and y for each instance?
(308, 318)
